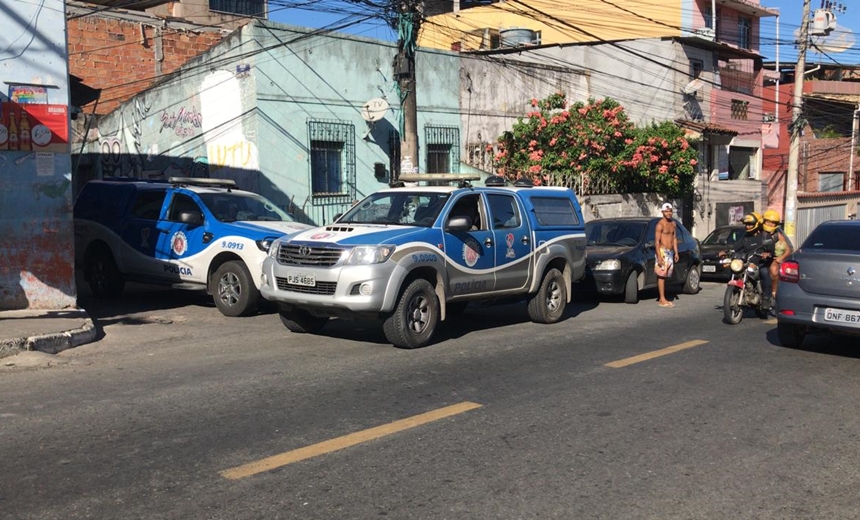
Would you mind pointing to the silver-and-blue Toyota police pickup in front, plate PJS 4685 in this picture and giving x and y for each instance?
(414, 255)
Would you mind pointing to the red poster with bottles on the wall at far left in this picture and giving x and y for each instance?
(34, 126)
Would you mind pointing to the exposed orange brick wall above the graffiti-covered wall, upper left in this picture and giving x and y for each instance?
(122, 58)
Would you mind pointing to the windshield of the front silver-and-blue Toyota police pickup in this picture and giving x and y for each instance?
(401, 207)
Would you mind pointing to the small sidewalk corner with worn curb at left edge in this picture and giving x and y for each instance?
(44, 331)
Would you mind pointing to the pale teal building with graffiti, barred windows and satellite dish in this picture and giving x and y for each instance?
(310, 121)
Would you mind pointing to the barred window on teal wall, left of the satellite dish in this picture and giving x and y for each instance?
(332, 158)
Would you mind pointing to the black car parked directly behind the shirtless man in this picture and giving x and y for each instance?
(621, 257)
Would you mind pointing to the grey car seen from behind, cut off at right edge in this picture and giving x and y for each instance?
(819, 284)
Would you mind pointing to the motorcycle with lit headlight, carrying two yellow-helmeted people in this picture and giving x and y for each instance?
(744, 290)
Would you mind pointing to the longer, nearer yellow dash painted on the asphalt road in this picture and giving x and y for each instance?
(339, 443)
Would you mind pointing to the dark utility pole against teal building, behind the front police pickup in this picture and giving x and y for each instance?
(410, 13)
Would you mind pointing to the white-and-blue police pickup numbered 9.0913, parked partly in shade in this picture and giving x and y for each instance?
(188, 232)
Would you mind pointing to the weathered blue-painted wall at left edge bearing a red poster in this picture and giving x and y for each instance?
(36, 236)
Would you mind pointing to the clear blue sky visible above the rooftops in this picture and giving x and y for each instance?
(789, 22)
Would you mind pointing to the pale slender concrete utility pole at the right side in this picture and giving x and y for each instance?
(796, 128)
